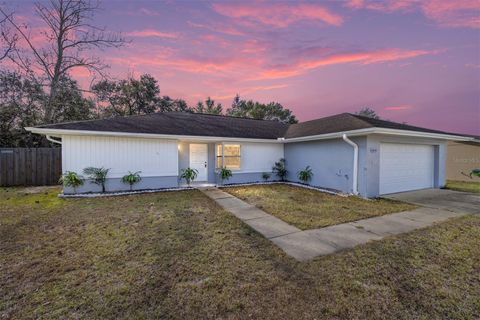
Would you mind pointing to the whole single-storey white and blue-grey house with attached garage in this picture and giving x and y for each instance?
(346, 152)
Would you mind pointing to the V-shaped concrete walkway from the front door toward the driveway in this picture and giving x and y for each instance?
(305, 245)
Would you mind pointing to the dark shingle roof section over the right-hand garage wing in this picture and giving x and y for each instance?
(346, 122)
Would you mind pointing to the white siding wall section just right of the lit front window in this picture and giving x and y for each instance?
(259, 157)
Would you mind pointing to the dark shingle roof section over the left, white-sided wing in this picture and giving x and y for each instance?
(182, 123)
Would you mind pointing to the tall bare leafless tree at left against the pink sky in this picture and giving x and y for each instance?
(69, 37)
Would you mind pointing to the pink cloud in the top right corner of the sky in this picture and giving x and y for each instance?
(448, 13)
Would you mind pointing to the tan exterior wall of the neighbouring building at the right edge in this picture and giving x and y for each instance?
(462, 157)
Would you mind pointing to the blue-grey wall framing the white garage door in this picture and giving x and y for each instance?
(371, 187)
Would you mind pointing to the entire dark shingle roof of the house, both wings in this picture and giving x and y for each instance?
(206, 125)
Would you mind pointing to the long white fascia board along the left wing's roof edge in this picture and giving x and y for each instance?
(62, 132)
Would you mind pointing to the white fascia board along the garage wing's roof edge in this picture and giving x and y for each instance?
(361, 132)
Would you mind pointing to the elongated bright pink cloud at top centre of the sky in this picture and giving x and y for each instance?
(277, 14)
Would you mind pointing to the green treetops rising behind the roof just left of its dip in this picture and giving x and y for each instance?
(256, 110)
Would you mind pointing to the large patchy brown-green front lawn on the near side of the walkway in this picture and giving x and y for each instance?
(178, 255)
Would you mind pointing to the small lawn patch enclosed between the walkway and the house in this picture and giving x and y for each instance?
(310, 209)
